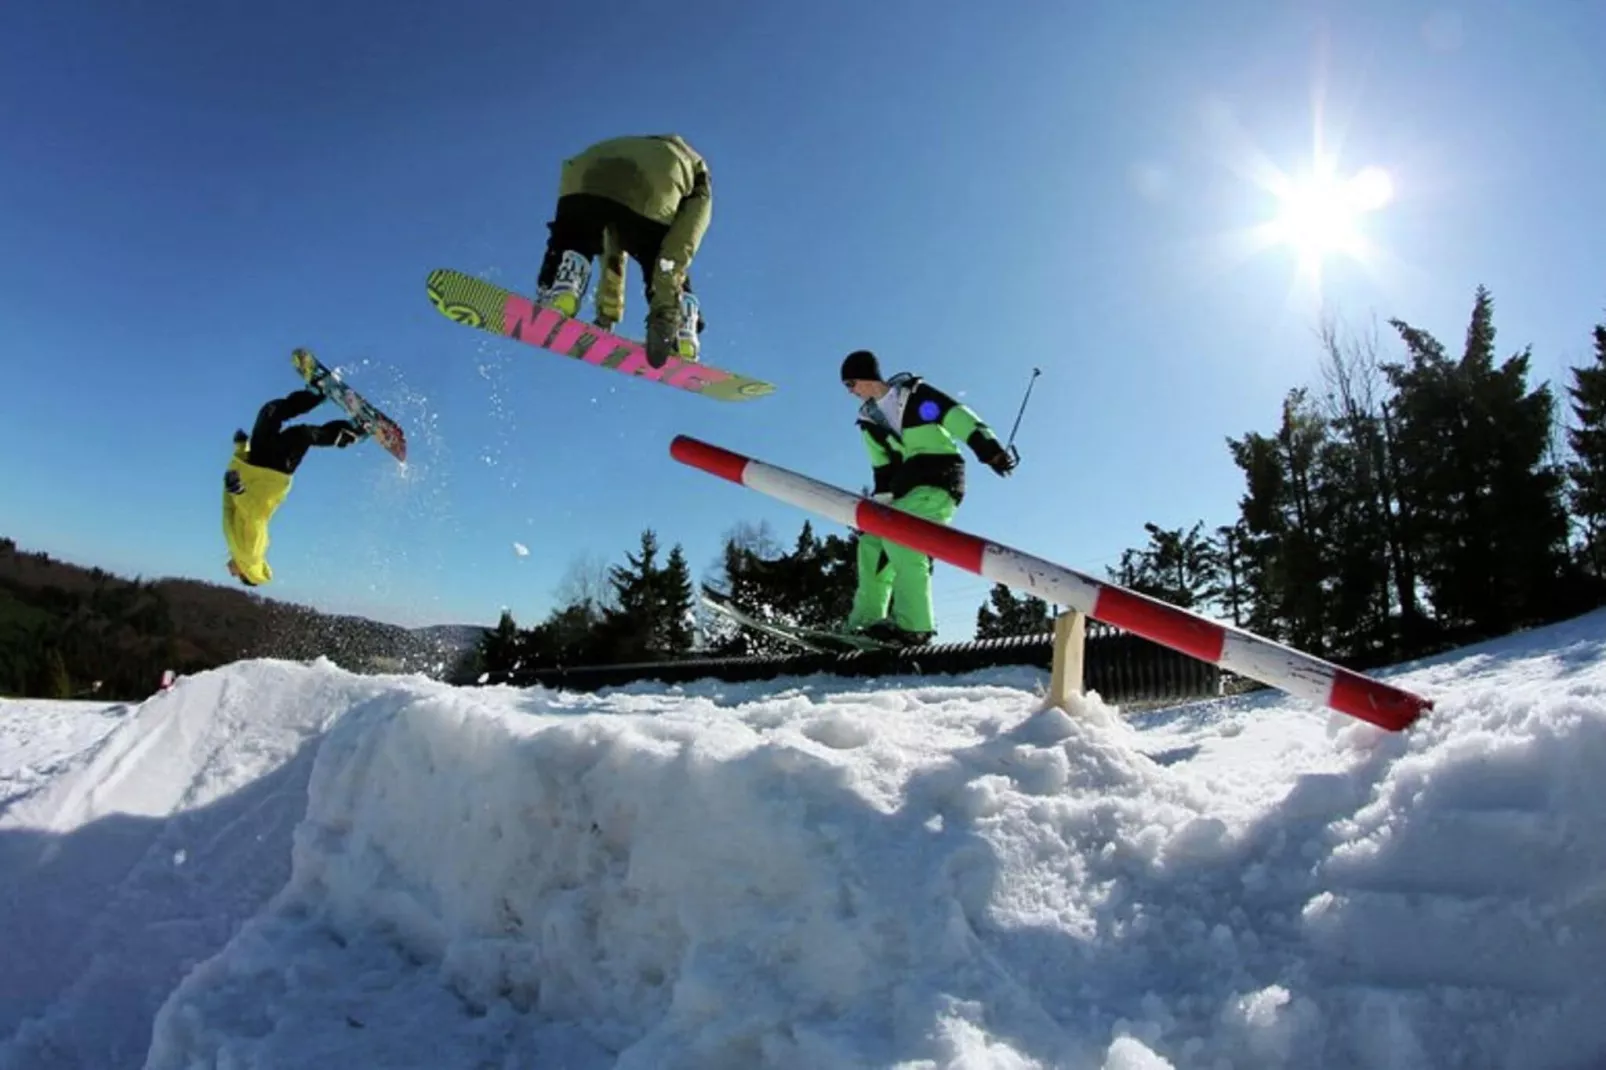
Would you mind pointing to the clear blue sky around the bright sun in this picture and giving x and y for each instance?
(190, 190)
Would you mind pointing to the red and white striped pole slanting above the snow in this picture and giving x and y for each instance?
(1234, 650)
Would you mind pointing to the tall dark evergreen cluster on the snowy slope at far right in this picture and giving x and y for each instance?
(1406, 507)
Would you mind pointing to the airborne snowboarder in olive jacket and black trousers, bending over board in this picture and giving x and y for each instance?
(642, 197)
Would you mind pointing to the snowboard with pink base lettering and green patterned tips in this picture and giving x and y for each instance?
(489, 308)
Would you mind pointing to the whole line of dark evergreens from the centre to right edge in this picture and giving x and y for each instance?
(1403, 508)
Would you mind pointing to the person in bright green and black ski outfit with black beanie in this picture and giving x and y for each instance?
(913, 433)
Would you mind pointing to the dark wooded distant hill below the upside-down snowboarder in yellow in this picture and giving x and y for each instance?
(65, 627)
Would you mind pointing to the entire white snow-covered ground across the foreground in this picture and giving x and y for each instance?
(280, 865)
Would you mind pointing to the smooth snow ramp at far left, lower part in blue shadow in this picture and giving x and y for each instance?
(166, 827)
